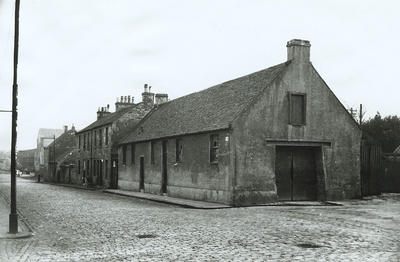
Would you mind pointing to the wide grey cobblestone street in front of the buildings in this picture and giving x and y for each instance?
(82, 225)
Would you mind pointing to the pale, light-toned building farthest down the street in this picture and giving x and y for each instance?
(44, 138)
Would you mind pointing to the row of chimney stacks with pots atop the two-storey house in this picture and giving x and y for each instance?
(125, 101)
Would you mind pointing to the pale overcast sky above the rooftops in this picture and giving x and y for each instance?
(78, 55)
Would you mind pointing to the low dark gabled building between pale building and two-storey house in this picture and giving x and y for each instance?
(58, 154)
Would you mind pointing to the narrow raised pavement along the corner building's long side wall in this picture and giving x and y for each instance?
(168, 200)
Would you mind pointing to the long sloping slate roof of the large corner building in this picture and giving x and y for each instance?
(211, 109)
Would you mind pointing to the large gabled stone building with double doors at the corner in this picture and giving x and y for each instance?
(276, 134)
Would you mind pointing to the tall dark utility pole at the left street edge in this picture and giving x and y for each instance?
(13, 218)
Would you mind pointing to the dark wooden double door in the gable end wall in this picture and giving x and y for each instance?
(295, 171)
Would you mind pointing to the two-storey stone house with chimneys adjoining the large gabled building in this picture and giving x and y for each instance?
(97, 154)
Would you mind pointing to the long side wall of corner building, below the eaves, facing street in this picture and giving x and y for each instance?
(192, 178)
